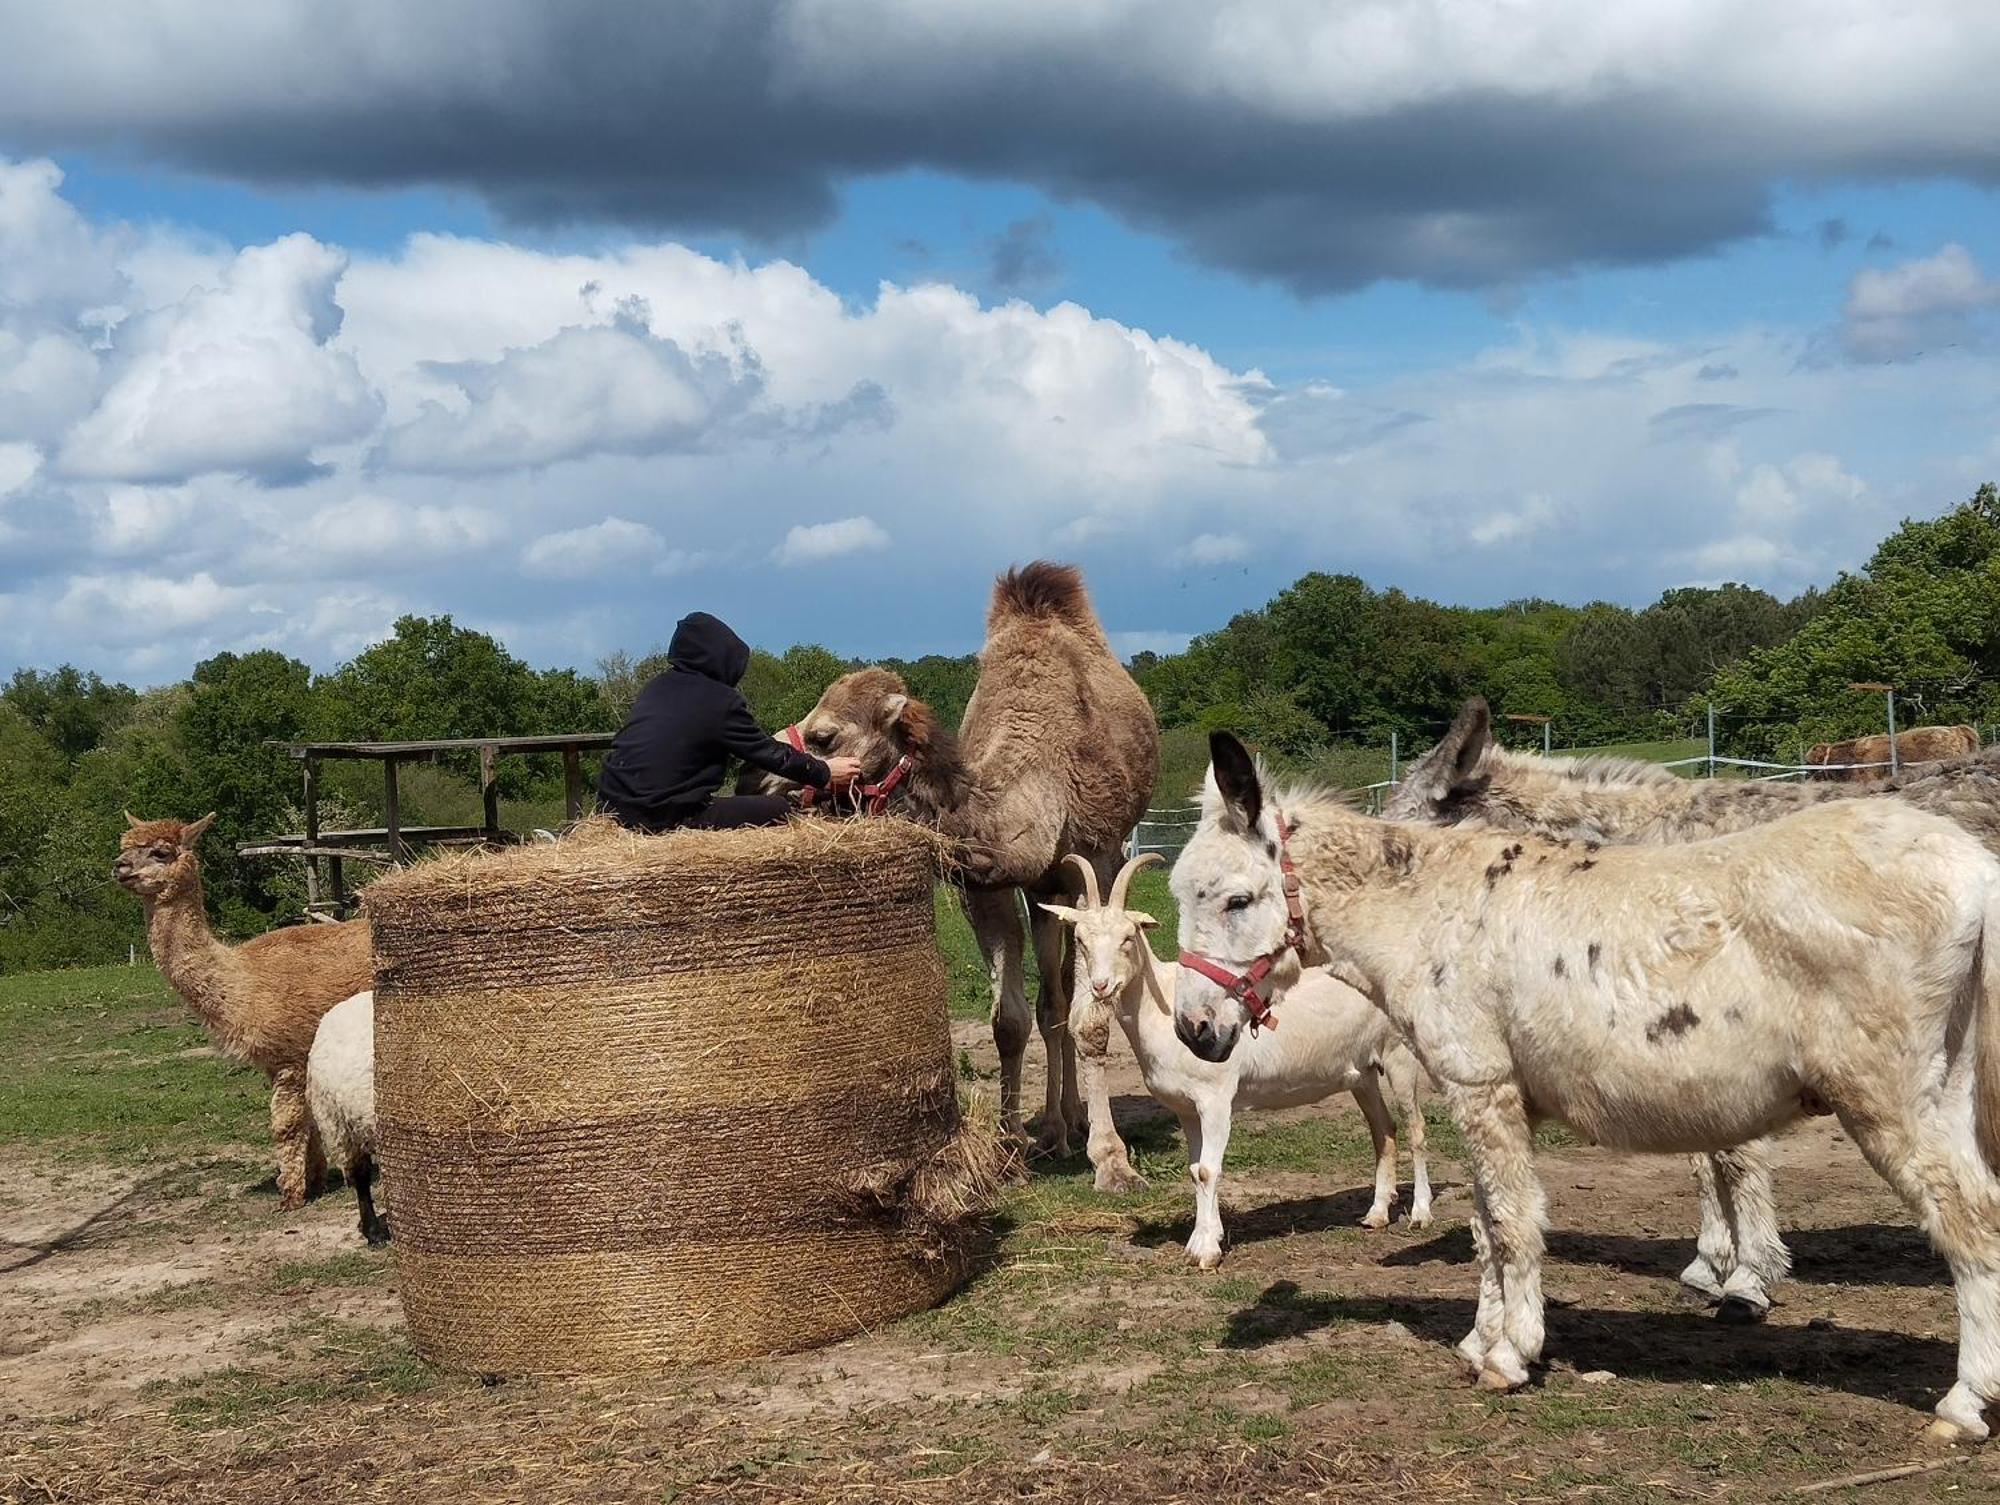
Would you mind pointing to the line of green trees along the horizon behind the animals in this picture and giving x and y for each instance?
(1327, 661)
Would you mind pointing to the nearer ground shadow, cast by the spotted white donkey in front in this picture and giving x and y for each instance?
(1671, 1348)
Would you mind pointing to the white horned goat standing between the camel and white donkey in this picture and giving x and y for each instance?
(1333, 1042)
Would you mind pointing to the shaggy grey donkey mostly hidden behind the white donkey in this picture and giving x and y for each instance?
(1469, 780)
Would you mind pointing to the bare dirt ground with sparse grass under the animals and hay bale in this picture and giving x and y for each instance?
(169, 1336)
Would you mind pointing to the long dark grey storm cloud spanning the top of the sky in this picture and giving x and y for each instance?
(1423, 159)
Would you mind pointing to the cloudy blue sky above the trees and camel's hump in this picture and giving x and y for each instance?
(821, 313)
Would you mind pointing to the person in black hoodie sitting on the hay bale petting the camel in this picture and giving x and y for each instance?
(669, 758)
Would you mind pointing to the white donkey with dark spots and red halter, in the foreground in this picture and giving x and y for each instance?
(1671, 1000)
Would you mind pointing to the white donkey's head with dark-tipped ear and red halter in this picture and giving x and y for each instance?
(1233, 910)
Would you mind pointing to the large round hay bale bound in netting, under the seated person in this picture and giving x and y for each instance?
(657, 1100)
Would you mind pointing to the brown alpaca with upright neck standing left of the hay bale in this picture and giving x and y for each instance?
(263, 1000)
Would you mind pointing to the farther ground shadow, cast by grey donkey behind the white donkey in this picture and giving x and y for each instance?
(1863, 1254)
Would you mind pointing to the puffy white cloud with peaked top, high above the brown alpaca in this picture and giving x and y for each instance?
(237, 379)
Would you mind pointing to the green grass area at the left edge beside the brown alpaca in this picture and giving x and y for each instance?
(99, 1062)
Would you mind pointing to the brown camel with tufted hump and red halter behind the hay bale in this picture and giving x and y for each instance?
(1059, 754)
